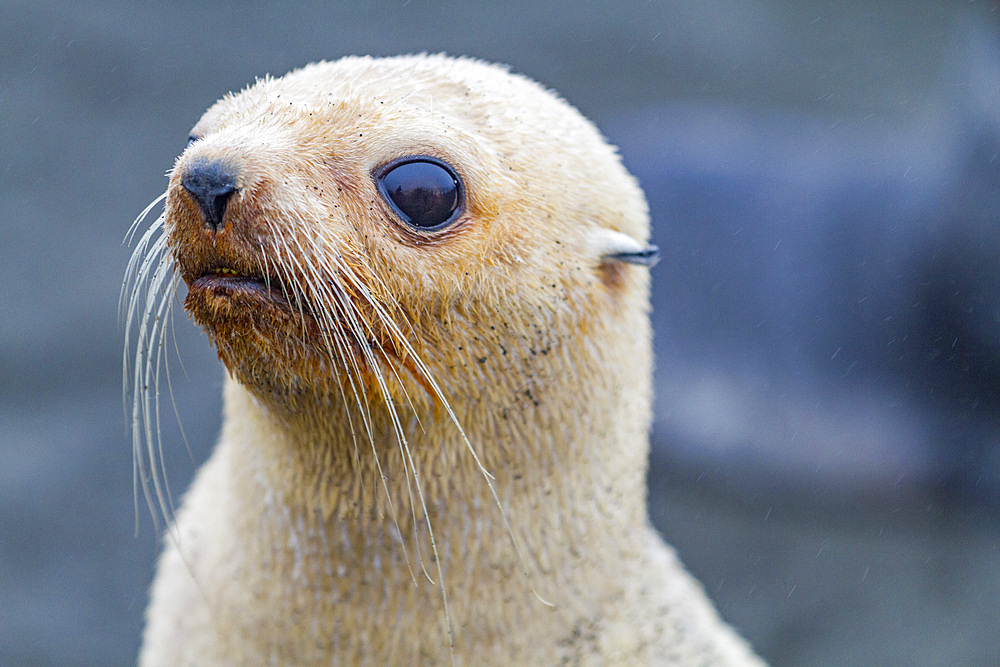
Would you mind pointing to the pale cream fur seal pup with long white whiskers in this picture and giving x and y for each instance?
(427, 278)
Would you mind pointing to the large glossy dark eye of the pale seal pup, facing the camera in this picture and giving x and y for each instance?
(424, 192)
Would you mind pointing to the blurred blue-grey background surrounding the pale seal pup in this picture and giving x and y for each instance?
(824, 181)
